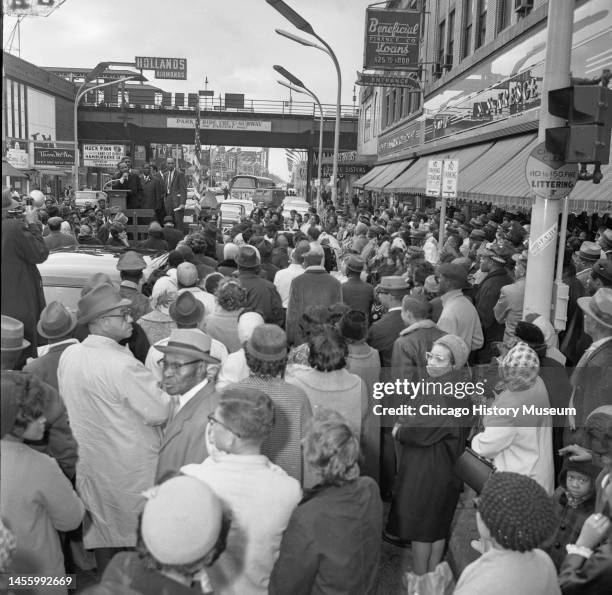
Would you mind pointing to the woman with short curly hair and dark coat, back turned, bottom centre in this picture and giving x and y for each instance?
(332, 542)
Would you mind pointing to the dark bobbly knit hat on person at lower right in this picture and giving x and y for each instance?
(516, 510)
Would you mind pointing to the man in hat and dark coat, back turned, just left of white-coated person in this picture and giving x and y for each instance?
(261, 293)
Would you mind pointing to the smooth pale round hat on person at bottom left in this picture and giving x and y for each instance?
(181, 521)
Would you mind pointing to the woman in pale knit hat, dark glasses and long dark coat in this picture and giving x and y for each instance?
(426, 490)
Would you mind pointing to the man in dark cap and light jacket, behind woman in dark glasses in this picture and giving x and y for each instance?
(459, 316)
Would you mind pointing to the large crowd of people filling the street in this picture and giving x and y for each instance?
(223, 434)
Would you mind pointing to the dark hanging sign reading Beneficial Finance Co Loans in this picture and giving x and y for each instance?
(392, 39)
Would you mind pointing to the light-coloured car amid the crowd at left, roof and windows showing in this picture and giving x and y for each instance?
(66, 271)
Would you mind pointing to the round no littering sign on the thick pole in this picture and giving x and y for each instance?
(549, 176)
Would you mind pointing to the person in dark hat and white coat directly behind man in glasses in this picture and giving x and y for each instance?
(187, 312)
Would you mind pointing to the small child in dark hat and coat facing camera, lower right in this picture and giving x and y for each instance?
(574, 501)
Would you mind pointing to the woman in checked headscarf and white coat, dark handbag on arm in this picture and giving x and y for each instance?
(516, 439)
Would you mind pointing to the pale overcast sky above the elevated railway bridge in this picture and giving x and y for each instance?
(232, 42)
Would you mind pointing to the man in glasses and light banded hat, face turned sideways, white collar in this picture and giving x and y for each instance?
(186, 356)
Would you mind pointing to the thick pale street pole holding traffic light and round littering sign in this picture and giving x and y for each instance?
(545, 212)
